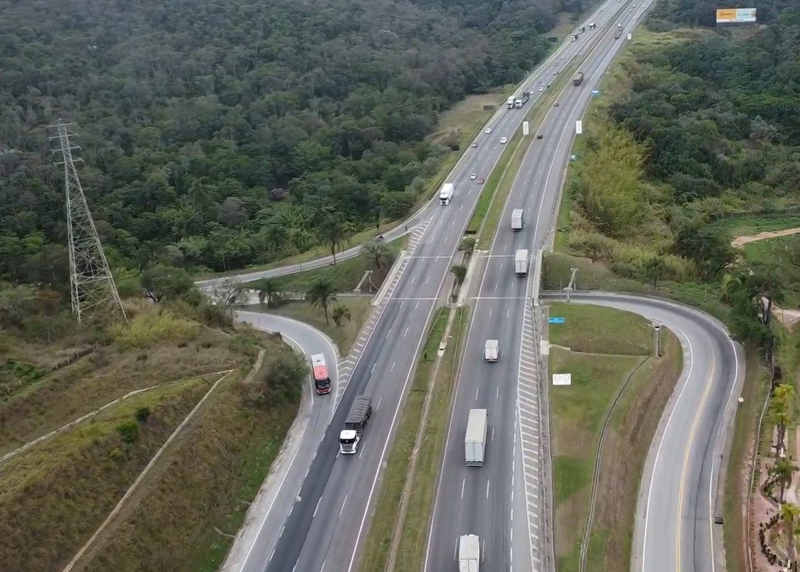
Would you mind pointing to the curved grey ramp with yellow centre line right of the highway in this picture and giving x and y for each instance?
(675, 530)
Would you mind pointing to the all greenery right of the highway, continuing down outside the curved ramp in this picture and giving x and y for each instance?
(692, 144)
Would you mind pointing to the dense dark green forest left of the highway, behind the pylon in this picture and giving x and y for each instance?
(217, 134)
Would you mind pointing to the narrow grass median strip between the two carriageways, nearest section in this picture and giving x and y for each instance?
(384, 525)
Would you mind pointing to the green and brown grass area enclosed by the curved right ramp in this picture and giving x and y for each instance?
(599, 370)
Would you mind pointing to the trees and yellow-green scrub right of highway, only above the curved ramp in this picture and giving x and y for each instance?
(701, 125)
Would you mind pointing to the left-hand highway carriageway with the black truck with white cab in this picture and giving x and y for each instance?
(324, 527)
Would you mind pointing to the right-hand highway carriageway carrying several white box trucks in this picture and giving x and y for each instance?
(501, 502)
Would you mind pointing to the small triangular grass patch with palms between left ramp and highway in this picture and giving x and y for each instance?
(344, 337)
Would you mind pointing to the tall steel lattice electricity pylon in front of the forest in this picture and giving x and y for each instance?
(91, 283)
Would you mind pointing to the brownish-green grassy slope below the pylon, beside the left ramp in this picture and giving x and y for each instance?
(56, 493)
